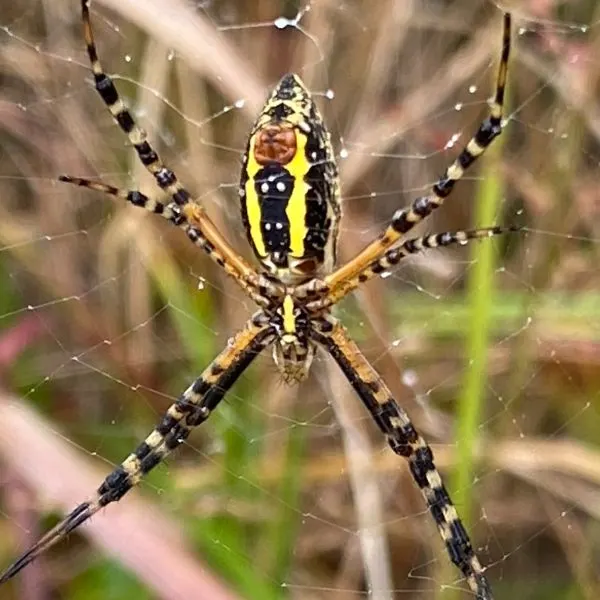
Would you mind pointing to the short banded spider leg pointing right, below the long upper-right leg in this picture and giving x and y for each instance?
(393, 256)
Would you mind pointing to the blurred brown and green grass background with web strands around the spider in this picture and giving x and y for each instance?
(107, 314)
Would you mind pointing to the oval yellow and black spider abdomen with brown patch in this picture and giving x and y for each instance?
(289, 187)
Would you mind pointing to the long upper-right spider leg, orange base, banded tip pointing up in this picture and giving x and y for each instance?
(405, 219)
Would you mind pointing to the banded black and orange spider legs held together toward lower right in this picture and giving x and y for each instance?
(405, 441)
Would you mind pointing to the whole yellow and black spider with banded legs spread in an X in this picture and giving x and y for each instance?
(290, 207)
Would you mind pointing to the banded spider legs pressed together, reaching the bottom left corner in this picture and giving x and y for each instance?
(191, 409)
